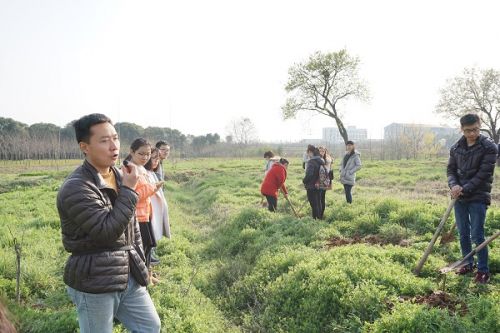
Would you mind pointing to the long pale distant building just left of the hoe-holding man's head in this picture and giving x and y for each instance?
(446, 135)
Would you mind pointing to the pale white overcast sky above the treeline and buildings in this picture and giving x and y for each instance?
(197, 65)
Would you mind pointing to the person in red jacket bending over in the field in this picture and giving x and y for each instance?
(273, 182)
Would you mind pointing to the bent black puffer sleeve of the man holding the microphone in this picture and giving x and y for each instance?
(89, 213)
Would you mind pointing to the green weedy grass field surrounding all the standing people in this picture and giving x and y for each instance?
(231, 266)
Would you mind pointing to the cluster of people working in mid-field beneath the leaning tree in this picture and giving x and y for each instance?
(319, 174)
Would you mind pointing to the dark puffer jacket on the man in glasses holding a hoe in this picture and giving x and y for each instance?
(472, 168)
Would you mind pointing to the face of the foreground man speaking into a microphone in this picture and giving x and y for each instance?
(103, 147)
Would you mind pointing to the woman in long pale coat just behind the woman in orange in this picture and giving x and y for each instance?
(159, 218)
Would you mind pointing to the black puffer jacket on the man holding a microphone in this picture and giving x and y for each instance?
(101, 232)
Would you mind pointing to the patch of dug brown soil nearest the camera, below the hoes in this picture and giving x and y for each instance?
(438, 299)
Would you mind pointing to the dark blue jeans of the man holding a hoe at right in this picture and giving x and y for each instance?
(470, 218)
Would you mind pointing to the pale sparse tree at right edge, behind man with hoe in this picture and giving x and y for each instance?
(476, 91)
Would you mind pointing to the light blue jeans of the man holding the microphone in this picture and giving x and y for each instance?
(133, 307)
